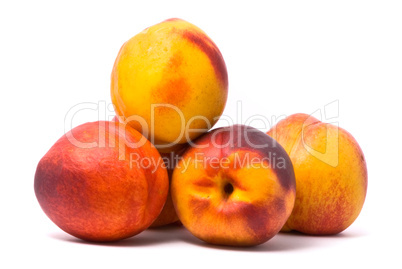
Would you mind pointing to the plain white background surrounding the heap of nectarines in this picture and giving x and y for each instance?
(282, 57)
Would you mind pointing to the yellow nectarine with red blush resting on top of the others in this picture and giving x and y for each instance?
(169, 79)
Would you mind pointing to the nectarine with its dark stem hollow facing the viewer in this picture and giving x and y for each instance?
(228, 191)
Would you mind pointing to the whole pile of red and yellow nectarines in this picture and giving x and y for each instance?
(157, 163)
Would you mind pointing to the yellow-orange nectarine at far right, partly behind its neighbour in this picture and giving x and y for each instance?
(331, 174)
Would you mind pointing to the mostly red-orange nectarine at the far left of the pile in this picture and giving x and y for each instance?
(93, 191)
